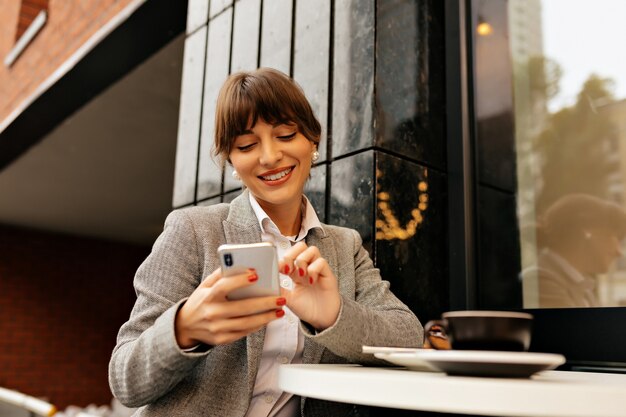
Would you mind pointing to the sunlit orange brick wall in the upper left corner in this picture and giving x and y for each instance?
(70, 23)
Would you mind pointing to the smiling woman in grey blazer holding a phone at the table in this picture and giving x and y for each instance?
(186, 350)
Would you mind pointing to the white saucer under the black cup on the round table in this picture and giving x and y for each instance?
(472, 362)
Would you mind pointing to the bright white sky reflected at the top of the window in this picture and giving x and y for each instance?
(585, 37)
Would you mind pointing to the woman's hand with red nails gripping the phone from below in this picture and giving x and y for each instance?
(209, 317)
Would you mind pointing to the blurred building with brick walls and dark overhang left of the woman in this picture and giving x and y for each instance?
(89, 96)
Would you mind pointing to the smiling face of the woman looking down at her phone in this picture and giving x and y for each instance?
(274, 162)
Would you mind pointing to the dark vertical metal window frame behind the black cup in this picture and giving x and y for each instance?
(461, 160)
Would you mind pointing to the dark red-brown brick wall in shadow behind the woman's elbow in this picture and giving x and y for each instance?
(62, 300)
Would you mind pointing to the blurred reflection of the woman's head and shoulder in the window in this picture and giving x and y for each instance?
(578, 240)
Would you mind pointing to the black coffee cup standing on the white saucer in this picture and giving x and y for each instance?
(480, 330)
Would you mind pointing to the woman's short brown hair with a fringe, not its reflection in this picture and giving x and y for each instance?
(265, 93)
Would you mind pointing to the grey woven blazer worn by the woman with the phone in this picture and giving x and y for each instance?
(149, 370)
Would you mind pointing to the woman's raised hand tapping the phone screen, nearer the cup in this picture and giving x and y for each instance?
(315, 295)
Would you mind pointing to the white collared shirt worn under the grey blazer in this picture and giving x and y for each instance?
(284, 342)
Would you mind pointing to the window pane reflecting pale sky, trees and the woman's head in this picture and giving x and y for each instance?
(570, 134)
